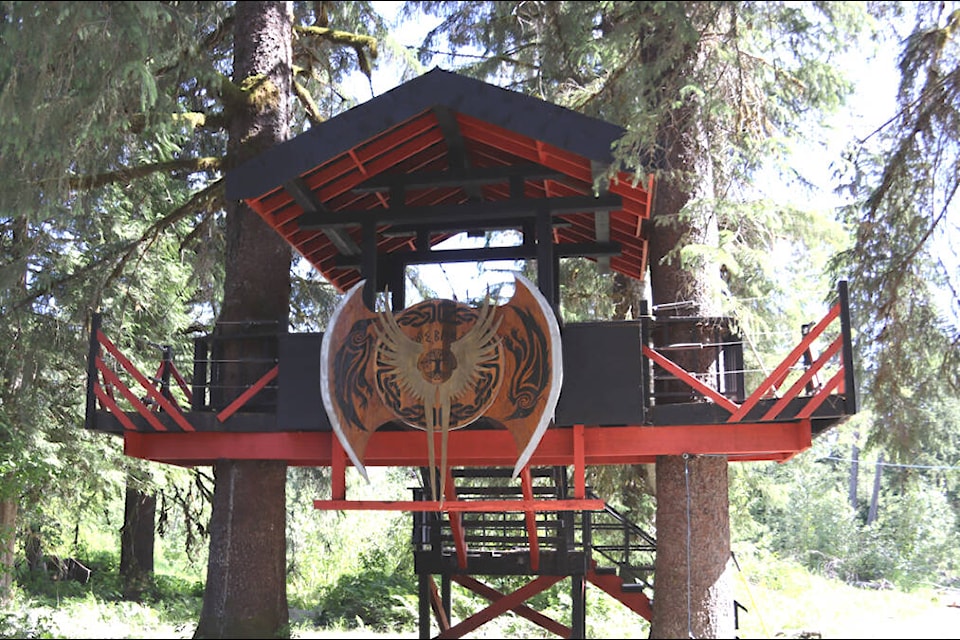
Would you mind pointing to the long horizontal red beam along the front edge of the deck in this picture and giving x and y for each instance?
(495, 448)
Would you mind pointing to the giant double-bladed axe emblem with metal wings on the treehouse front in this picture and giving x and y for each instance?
(441, 365)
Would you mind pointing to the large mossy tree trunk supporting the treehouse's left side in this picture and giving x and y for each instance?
(245, 595)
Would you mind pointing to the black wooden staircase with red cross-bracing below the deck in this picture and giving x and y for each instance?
(601, 547)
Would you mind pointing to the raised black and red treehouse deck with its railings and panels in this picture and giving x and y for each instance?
(607, 412)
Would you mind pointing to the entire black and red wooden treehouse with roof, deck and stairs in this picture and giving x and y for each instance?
(504, 407)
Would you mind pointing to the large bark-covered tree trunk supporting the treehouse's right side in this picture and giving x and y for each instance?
(693, 594)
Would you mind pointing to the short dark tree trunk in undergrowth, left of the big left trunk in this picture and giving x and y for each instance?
(136, 543)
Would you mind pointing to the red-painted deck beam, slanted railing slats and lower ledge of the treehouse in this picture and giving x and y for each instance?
(170, 437)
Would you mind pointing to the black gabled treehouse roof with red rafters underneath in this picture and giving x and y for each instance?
(437, 155)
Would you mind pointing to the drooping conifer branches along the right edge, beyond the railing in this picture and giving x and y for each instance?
(903, 180)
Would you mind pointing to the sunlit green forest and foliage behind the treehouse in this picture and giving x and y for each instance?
(110, 199)
